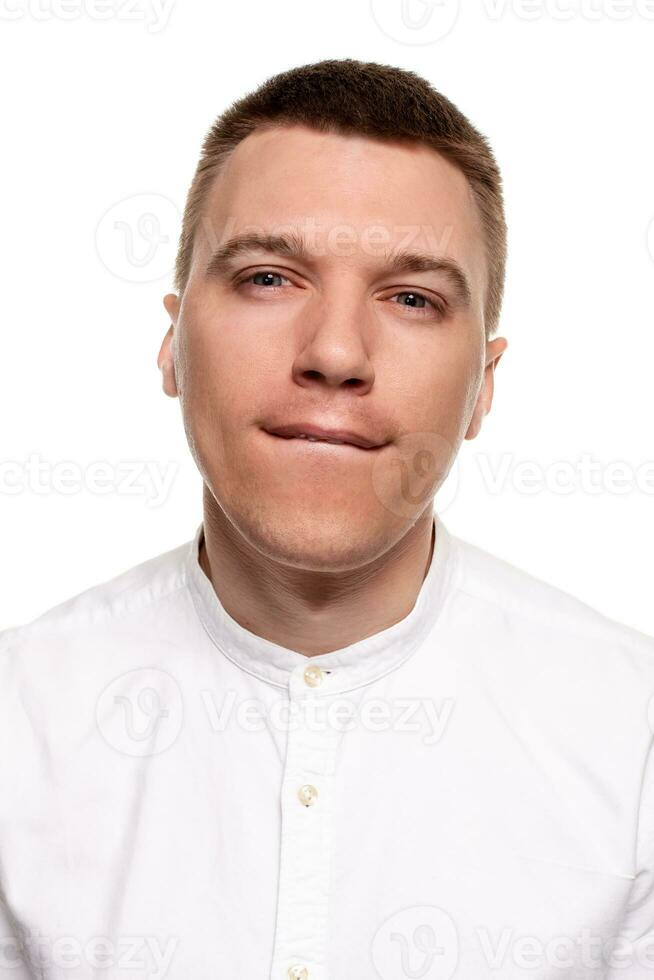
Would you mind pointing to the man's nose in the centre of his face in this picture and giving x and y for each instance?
(335, 346)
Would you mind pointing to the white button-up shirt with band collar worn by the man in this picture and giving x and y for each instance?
(467, 794)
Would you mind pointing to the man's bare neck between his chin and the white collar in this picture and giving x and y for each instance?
(312, 612)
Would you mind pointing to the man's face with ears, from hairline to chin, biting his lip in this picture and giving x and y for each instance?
(335, 337)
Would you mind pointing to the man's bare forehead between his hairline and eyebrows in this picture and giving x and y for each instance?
(294, 176)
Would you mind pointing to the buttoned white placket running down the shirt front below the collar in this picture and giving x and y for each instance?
(300, 946)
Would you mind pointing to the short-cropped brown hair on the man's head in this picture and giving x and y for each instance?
(365, 98)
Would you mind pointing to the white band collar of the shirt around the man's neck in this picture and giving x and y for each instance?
(345, 669)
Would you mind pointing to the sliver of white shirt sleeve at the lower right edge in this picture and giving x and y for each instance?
(631, 957)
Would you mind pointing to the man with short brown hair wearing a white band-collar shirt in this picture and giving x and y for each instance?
(326, 738)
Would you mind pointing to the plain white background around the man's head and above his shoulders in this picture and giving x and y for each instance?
(106, 101)
